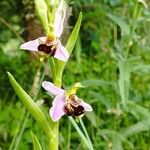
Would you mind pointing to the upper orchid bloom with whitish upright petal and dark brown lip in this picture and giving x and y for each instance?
(51, 45)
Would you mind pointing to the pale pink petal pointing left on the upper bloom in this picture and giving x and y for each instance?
(33, 45)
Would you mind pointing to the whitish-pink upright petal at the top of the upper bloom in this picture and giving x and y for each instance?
(59, 18)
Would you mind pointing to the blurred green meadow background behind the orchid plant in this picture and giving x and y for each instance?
(111, 30)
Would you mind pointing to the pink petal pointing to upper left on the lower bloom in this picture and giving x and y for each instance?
(51, 88)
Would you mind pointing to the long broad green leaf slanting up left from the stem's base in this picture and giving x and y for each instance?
(32, 107)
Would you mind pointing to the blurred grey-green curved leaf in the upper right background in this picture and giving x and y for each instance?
(125, 30)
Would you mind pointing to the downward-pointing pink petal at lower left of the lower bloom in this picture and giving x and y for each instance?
(57, 109)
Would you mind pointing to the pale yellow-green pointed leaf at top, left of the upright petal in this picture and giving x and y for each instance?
(41, 9)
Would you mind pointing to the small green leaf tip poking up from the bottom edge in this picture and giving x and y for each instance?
(36, 144)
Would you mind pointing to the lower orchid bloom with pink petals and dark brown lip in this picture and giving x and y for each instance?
(65, 102)
